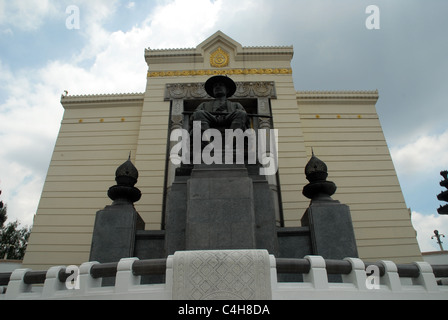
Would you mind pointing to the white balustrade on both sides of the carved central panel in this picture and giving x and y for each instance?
(355, 285)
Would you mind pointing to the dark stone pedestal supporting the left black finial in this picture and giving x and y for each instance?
(114, 232)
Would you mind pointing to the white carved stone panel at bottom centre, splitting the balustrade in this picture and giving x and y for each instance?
(222, 275)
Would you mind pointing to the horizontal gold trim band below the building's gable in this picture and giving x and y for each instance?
(214, 72)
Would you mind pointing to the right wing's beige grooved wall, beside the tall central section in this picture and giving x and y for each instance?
(345, 132)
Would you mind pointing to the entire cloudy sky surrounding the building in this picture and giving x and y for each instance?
(44, 51)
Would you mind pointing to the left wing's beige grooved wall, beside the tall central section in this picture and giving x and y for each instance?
(96, 135)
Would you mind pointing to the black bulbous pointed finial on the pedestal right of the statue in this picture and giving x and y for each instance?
(316, 173)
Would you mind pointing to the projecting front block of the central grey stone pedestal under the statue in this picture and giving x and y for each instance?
(220, 208)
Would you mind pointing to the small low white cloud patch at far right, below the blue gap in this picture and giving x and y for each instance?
(425, 225)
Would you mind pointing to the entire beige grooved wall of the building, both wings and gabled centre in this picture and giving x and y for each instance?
(97, 133)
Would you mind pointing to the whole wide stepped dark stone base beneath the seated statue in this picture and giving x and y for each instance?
(219, 206)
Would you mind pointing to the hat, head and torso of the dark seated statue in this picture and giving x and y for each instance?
(221, 113)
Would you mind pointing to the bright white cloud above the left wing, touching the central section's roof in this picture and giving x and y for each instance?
(119, 64)
